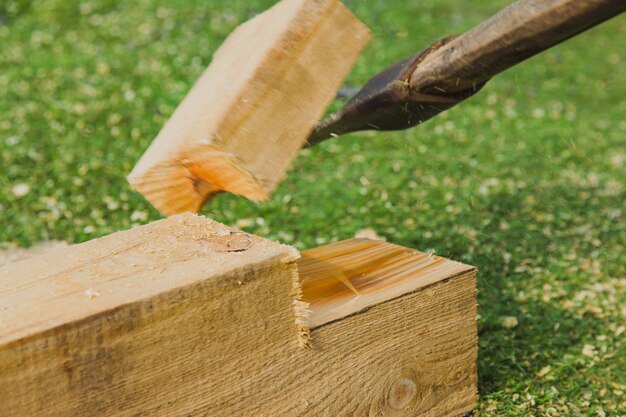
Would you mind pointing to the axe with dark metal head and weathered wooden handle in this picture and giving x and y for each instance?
(453, 69)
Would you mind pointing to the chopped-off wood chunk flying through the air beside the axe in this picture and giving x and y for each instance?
(251, 111)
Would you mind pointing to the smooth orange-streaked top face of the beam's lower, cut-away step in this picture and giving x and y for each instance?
(345, 278)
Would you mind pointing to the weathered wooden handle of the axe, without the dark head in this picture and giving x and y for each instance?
(518, 32)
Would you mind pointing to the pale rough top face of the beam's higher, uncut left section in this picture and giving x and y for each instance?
(81, 281)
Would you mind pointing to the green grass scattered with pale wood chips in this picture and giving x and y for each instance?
(527, 180)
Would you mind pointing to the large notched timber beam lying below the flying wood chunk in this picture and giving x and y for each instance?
(188, 317)
